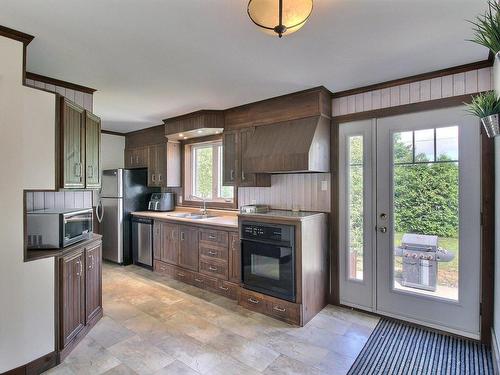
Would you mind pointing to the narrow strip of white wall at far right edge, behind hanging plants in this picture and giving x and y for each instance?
(496, 311)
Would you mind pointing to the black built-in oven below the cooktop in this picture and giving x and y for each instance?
(268, 259)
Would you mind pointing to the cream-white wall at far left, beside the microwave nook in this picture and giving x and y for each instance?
(27, 161)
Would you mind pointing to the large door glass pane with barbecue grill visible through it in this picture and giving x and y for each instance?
(425, 212)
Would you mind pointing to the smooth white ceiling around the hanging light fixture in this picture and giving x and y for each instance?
(153, 59)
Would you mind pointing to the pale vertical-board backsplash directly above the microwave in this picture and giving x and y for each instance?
(40, 200)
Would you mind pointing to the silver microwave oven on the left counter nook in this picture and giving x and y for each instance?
(58, 228)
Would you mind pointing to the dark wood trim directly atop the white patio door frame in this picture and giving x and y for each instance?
(407, 108)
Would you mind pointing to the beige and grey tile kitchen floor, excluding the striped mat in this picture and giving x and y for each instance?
(154, 325)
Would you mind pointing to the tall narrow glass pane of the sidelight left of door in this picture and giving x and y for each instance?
(355, 208)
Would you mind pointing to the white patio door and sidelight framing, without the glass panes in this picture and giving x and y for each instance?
(460, 317)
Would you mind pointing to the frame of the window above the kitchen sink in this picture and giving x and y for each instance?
(187, 174)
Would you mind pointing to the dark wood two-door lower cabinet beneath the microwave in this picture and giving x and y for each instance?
(79, 293)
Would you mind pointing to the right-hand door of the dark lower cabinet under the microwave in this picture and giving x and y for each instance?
(93, 281)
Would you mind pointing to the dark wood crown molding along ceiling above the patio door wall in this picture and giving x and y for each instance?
(419, 77)
